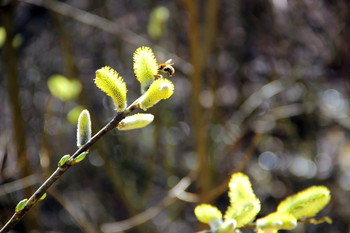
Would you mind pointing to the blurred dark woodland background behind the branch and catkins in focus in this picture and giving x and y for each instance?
(262, 87)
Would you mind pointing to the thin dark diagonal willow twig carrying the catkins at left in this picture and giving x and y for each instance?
(17, 216)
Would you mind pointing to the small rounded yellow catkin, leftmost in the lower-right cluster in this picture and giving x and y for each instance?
(208, 214)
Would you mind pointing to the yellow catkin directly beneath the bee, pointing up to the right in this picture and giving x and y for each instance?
(160, 89)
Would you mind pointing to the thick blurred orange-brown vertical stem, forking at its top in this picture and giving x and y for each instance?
(201, 40)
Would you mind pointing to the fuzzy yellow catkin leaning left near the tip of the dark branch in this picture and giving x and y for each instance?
(109, 81)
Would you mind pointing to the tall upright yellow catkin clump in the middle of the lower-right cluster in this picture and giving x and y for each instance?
(244, 204)
